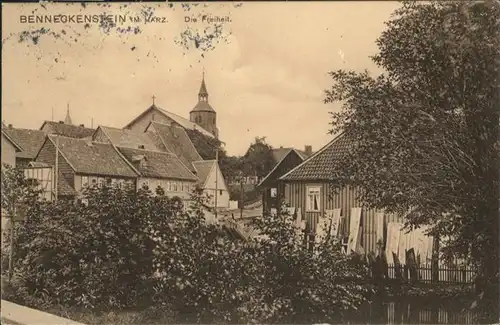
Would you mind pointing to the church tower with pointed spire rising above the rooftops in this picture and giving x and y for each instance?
(203, 114)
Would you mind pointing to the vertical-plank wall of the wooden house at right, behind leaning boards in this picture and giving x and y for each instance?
(295, 195)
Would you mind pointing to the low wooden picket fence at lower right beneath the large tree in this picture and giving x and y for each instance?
(451, 275)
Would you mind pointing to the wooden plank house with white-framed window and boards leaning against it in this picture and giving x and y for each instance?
(307, 188)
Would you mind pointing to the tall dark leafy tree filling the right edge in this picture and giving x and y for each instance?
(425, 132)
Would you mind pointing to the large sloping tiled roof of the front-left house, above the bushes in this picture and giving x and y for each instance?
(88, 157)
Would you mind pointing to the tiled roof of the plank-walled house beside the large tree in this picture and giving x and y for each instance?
(320, 165)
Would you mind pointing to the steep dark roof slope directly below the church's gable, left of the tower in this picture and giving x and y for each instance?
(177, 142)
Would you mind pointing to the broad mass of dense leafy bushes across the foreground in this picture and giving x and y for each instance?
(130, 250)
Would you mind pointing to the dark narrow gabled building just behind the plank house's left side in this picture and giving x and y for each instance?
(271, 187)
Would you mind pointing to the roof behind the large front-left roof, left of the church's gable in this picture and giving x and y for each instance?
(129, 139)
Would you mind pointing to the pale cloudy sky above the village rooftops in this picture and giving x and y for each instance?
(265, 77)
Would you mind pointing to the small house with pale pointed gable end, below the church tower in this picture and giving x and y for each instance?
(213, 183)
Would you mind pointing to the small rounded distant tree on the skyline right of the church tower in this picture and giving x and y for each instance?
(258, 160)
